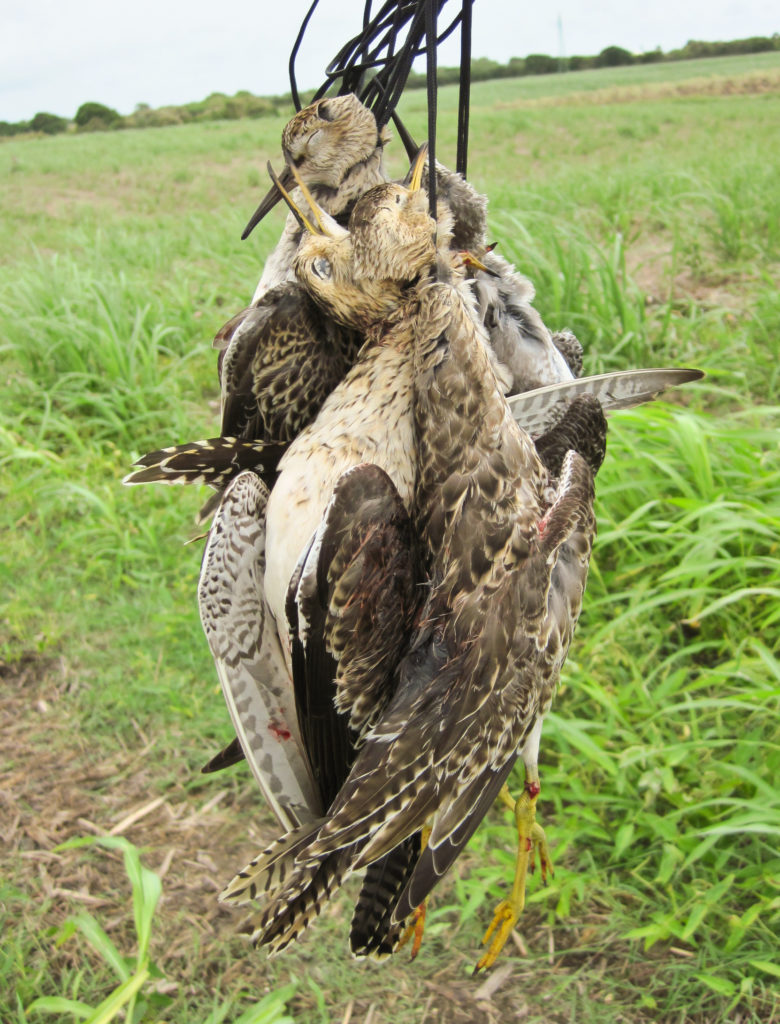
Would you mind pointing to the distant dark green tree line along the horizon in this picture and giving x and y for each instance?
(219, 107)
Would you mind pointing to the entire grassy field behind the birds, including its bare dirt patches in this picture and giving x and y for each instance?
(651, 225)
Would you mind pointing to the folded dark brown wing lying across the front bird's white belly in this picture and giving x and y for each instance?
(350, 608)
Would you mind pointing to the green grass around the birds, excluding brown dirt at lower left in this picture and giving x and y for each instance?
(652, 230)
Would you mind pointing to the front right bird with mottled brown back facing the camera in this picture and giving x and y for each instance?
(500, 537)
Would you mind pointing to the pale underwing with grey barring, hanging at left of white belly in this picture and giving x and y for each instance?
(243, 639)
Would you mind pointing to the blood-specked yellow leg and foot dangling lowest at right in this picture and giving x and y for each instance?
(531, 845)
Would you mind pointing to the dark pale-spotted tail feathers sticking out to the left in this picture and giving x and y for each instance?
(214, 461)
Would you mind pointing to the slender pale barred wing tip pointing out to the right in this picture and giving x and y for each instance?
(541, 409)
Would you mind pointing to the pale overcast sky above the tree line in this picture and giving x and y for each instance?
(55, 56)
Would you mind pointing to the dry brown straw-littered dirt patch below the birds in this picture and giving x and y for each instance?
(57, 786)
